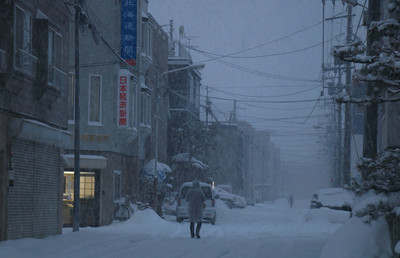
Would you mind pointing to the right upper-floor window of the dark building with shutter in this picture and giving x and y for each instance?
(56, 76)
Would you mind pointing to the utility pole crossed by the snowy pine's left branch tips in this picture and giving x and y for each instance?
(347, 119)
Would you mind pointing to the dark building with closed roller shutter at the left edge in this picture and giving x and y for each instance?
(33, 68)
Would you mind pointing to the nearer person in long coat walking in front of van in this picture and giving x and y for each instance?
(196, 198)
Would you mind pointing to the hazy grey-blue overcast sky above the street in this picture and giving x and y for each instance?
(272, 68)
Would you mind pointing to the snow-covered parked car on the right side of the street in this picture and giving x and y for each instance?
(333, 198)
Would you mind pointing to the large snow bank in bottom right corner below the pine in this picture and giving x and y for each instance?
(356, 239)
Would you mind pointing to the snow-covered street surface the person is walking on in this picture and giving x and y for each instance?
(263, 230)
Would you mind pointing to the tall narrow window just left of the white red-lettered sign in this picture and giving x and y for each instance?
(95, 99)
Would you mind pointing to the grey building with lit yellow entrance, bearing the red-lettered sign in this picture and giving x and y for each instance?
(117, 105)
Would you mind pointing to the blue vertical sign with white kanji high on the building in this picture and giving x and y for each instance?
(129, 30)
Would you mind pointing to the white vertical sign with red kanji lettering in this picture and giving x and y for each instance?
(123, 99)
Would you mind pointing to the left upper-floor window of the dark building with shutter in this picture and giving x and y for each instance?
(24, 61)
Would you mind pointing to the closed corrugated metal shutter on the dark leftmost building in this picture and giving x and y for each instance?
(34, 200)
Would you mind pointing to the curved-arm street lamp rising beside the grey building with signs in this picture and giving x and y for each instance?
(191, 67)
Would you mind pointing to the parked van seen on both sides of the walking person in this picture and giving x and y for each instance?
(209, 213)
